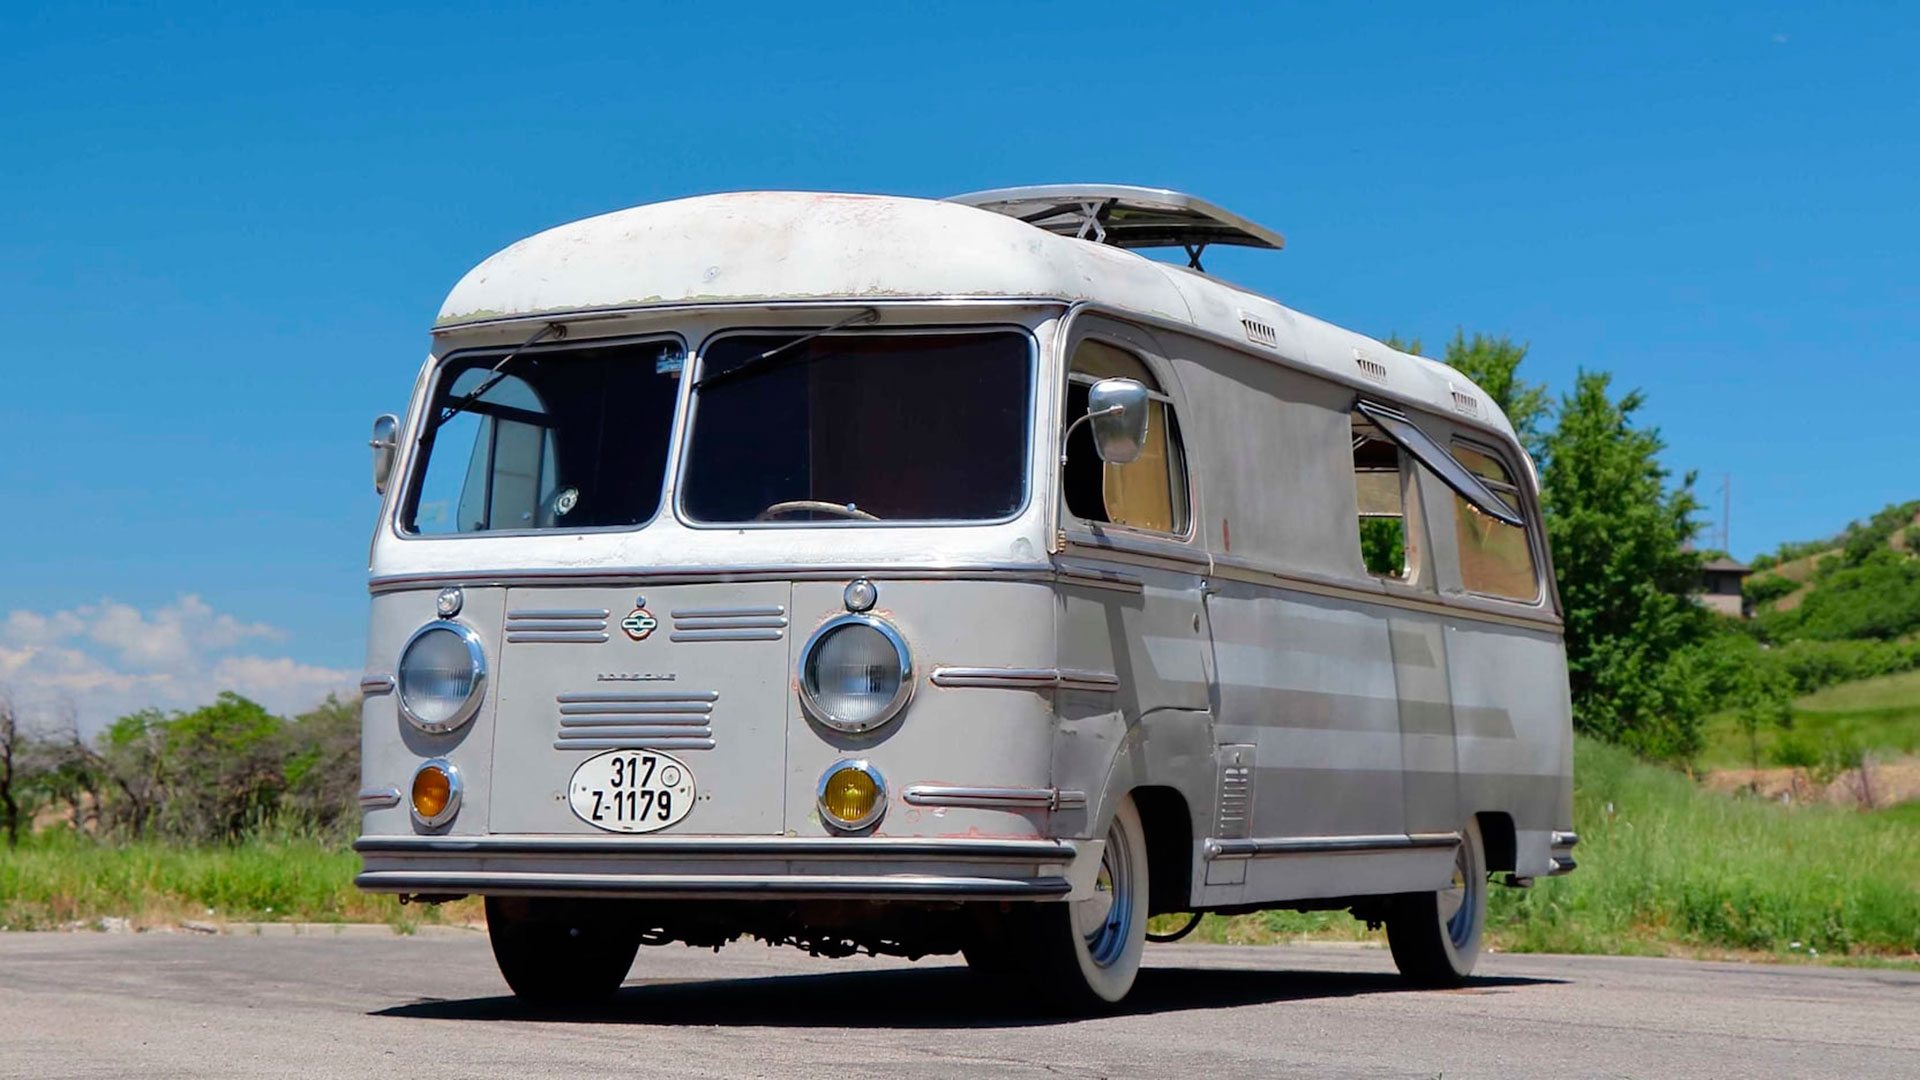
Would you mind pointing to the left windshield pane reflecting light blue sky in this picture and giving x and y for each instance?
(564, 439)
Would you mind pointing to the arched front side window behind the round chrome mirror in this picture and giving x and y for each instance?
(1151, 493)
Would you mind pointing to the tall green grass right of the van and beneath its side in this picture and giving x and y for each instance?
(1668, 866)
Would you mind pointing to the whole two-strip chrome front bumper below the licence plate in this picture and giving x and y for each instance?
(729, 868)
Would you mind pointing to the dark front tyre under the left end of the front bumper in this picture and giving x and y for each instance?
(562, 952)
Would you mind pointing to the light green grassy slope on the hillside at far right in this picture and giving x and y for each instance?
(1875, 714)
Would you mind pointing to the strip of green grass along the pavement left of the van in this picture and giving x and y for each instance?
(59, 879)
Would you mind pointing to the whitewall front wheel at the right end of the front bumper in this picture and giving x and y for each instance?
(1078, 956)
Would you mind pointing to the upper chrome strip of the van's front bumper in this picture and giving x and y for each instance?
(986, 850)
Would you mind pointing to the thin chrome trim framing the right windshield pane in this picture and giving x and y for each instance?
(690, 408)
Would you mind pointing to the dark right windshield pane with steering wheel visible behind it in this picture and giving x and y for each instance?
(861, 428)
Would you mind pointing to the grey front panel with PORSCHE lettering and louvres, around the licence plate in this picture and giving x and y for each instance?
(698, 672)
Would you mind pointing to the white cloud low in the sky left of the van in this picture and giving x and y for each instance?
(107, 660)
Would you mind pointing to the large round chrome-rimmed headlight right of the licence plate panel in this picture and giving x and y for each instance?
(855, 674)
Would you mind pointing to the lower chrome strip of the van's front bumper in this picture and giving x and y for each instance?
(717, 887)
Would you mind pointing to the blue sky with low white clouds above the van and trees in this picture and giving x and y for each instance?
(226, 230)
